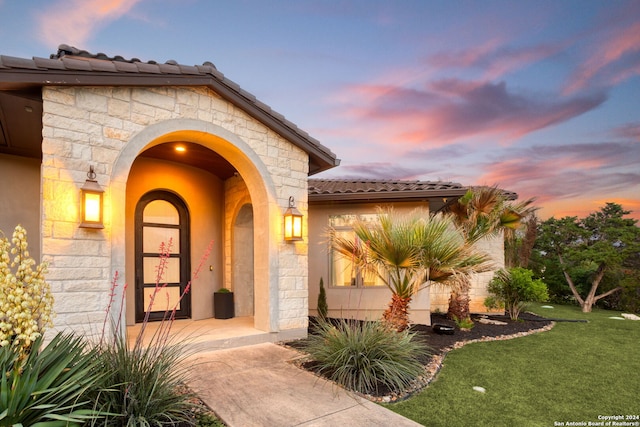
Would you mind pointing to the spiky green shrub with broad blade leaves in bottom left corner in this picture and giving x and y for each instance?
(48, 386)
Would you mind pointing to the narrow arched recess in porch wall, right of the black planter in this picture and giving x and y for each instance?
(242, 280)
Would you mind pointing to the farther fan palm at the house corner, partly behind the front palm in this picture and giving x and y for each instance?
(483, 212)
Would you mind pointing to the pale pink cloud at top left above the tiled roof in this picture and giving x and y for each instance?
(75, 21)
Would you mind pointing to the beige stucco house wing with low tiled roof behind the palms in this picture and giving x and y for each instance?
(335, 202)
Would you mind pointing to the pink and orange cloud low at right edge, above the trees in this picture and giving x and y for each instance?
(581, 177)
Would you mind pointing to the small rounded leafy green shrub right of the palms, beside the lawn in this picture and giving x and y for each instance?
(514, 288)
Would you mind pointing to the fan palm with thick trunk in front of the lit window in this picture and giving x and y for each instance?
(407, 252)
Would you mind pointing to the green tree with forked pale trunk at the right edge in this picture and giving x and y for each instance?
(597, 251)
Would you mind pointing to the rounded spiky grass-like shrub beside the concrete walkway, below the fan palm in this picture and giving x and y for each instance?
(365, 356)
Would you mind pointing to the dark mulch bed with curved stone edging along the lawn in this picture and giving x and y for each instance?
(441, 344)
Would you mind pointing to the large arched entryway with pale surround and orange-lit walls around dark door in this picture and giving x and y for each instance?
(260, 192)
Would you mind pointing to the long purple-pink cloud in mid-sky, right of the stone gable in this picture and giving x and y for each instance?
(451, 109)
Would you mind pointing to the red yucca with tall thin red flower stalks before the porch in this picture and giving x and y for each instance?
(145, 385)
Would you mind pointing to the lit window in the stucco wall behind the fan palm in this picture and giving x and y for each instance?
(343, 272)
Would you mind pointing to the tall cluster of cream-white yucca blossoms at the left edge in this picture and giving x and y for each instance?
(25, 297)
